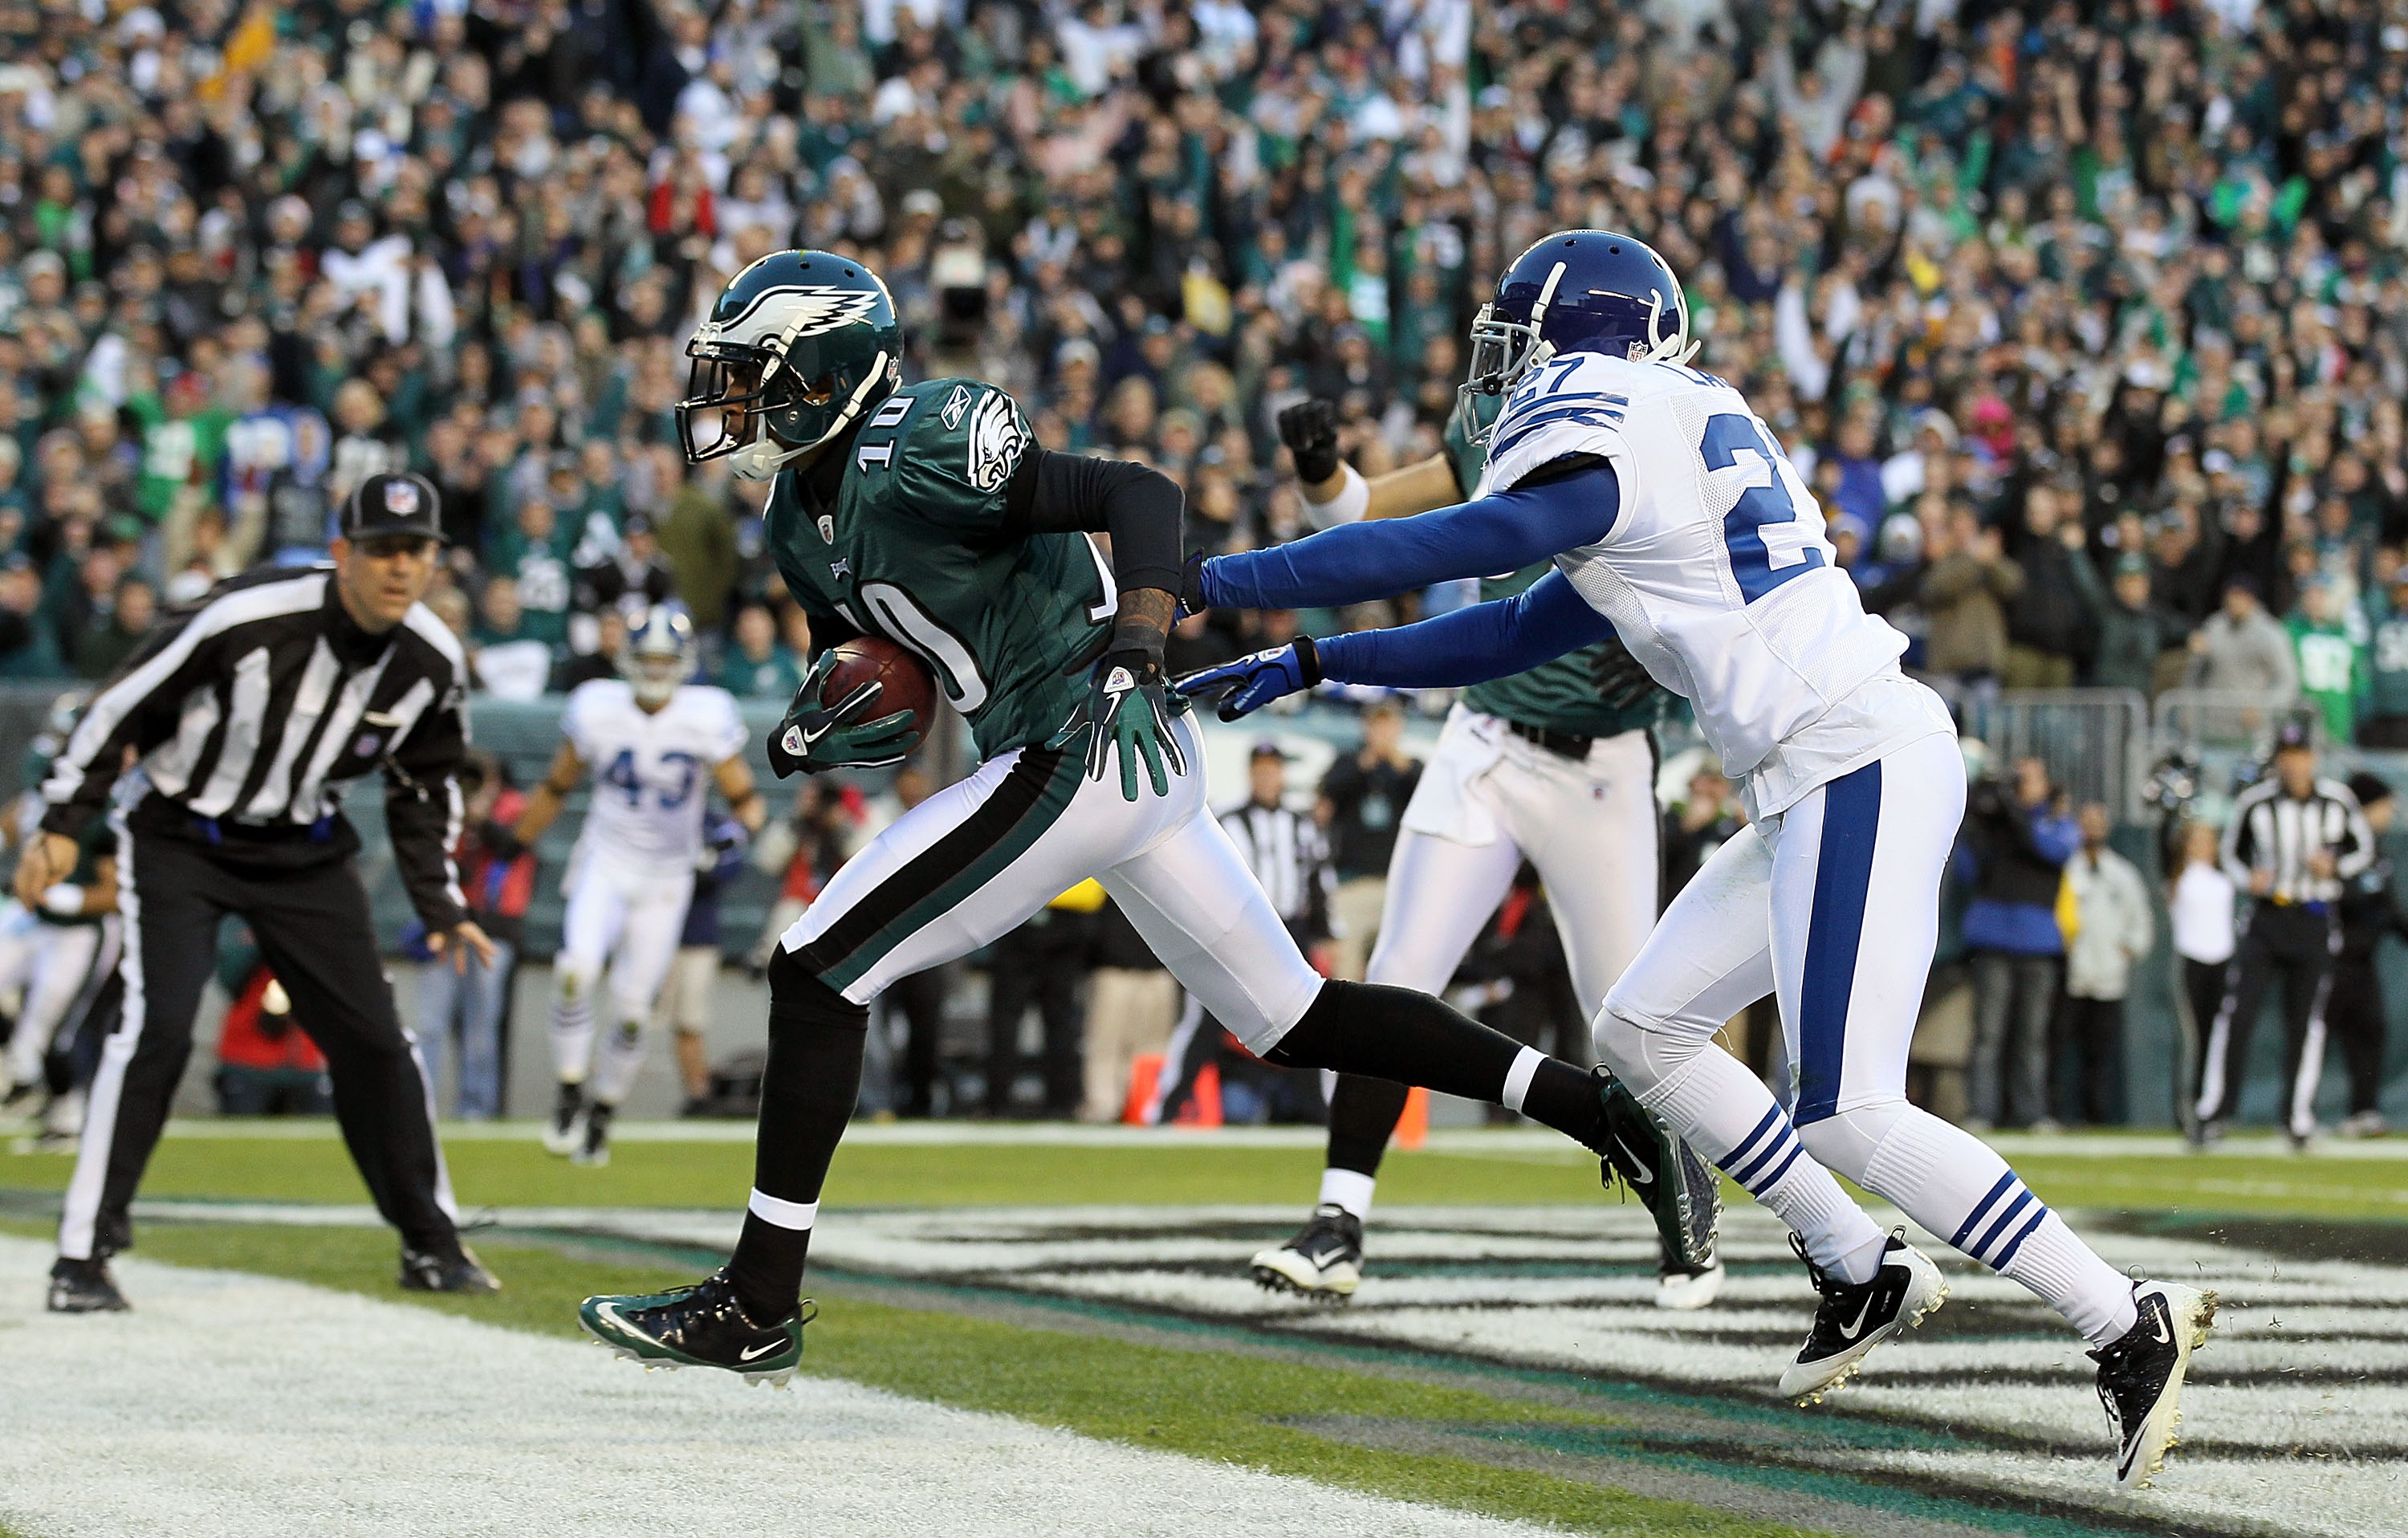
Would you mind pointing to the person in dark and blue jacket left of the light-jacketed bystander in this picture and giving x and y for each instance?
(2017, 844)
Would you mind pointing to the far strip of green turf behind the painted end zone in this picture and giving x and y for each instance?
(1176, 1173)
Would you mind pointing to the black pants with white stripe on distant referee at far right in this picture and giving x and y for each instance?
(2291, 947)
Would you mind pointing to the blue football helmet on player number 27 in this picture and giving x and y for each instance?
(1581, 290)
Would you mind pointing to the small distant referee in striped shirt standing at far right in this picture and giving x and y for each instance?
(2294, 844)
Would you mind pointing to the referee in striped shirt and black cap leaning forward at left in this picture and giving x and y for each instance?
(247, 716)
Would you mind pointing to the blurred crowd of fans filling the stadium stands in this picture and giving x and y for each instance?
(2087, 321)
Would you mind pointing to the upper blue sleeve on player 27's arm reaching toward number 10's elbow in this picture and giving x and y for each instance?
(1367, 562)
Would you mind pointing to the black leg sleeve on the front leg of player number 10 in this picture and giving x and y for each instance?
(808, 1089)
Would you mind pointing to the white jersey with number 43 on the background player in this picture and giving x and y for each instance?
(651, 769)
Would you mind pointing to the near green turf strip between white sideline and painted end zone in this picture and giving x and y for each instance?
(1174, 1400)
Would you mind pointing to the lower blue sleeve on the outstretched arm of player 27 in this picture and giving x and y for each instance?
(1470, 646)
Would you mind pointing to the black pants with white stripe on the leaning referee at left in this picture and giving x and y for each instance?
(317, 937)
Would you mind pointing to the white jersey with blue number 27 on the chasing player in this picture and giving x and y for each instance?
(1716, 572)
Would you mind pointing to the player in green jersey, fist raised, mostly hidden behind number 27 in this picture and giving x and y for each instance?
(1554, 767)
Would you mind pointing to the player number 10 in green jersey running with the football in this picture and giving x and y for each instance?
(928, 516)
